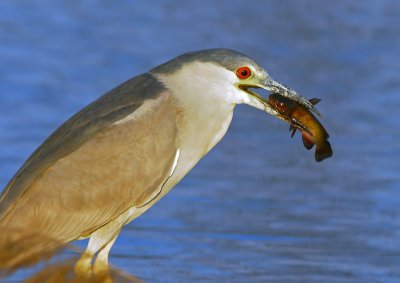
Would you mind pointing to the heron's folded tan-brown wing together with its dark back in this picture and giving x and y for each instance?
(94, 166)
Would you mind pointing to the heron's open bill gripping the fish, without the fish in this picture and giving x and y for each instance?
(272, 86)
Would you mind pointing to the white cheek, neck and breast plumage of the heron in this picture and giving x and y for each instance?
(205, 96)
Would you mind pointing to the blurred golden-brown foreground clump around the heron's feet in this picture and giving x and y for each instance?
(20, 250)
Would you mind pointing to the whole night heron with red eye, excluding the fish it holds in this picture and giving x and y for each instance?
(119, 155)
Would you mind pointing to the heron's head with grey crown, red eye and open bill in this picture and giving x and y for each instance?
(223, 76)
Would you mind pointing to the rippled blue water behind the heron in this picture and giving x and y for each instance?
(257, 208)
